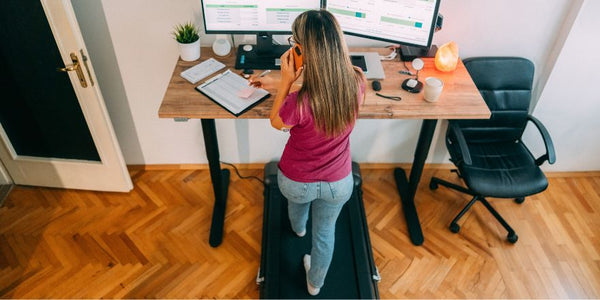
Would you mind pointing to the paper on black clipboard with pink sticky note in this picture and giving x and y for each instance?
(232, 92)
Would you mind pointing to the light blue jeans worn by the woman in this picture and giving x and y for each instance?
(327, 199)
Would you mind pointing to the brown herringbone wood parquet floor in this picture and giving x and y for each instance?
(152, 242)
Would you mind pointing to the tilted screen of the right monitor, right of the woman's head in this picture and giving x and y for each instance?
(407, 22)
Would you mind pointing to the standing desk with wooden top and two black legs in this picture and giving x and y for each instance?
(460, 99)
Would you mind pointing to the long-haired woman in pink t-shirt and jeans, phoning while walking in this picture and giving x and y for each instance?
(315, 167)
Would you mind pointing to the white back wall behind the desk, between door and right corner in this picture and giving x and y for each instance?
(139, 31)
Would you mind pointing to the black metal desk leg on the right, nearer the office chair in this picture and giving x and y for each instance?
(408, 188)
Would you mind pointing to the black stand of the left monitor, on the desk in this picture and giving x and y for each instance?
(262, 56)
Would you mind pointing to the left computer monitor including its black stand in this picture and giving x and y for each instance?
(261, 17)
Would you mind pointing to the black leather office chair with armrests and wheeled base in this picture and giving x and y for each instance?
(489, 154)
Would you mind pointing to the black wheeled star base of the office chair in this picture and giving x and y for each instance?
(512, 237)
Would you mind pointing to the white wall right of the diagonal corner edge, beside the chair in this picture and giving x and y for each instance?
(569, 103)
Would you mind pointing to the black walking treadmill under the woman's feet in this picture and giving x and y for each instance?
(352, 273)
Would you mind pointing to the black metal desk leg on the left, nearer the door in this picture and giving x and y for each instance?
(220, 181)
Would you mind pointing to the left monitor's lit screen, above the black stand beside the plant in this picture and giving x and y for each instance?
(253, 16)
